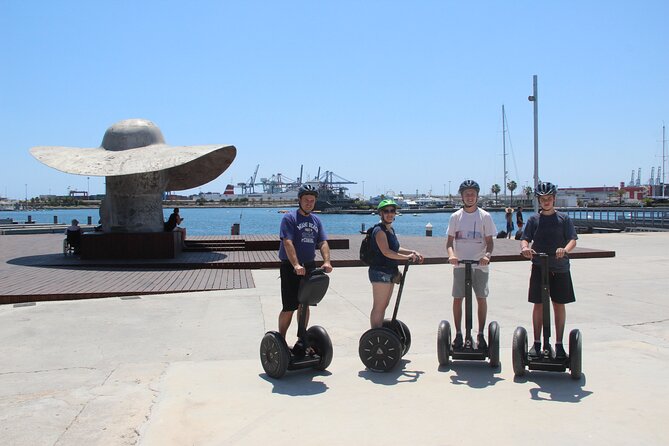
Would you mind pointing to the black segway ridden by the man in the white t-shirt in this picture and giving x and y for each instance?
(467, 352)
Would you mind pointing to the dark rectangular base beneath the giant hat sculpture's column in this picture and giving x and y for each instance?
(130, 245)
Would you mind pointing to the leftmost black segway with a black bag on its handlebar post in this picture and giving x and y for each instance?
(314, 347)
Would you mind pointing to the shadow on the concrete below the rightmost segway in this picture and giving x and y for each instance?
(555, 387)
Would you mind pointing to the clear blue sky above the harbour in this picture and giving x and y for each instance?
(397, 96)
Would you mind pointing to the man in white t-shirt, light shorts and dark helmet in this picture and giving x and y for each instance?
(471, 231)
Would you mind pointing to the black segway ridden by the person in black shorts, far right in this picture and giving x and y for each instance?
(546, 360)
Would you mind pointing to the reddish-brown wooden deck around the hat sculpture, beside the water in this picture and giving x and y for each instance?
(33, 267)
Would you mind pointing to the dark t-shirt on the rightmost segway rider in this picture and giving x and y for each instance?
(547, 233)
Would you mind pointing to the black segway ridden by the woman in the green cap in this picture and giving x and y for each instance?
(381, 348)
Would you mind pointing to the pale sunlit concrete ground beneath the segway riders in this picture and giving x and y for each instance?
(184, 368)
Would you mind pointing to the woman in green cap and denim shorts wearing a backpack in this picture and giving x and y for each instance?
(383, 270)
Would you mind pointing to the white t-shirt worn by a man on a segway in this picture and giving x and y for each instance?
(470, 231)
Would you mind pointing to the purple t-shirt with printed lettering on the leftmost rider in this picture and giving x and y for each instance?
(306, 233)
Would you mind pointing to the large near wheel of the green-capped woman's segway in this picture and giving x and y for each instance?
(380, 349)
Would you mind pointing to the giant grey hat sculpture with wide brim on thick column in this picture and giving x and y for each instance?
(139, 167)
